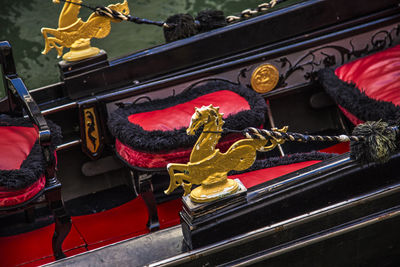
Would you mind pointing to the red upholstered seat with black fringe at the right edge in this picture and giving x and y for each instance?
(367, 88)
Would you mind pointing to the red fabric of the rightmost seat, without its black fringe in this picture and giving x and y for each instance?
(378, 75)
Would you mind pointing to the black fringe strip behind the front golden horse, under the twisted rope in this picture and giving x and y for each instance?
(286, 160)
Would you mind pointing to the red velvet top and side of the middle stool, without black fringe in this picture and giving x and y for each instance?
(176, 117)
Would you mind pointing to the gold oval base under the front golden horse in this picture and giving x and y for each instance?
(206, 193)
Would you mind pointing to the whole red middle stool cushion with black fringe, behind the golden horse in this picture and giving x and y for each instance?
(153, 134)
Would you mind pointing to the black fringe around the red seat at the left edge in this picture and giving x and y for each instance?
(34, 165)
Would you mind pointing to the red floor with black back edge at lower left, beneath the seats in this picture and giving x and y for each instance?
(88, 232)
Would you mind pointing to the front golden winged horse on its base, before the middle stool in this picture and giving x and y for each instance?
(207, 165)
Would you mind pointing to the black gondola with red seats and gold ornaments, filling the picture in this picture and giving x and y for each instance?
(320, 67)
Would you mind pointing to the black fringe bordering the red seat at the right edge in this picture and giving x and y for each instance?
(355, 100)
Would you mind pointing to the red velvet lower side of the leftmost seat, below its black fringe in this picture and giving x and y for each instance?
(9, 197)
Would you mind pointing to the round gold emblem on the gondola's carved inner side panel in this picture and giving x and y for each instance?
(264, 78)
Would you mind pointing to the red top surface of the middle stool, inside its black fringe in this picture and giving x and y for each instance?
(179, 116)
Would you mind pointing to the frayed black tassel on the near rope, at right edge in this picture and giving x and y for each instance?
(379, 143)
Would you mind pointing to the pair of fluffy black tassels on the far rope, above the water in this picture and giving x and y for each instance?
(181, 26)
